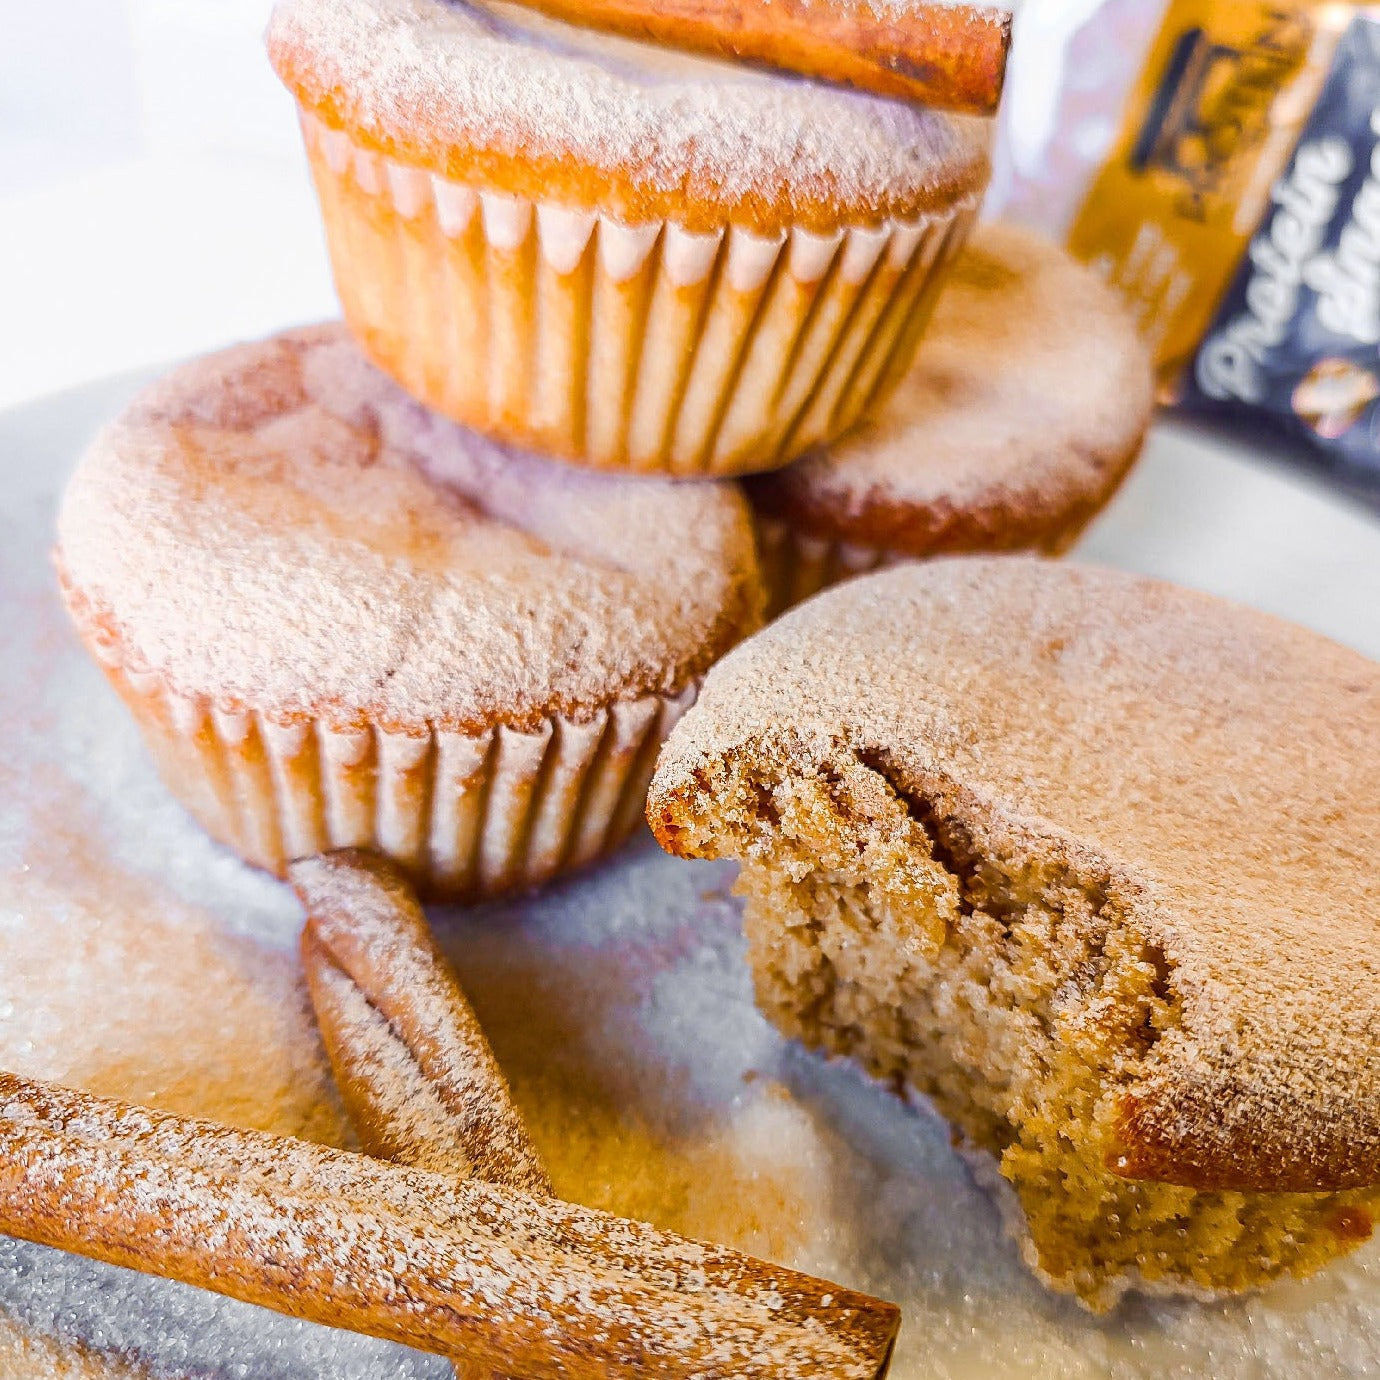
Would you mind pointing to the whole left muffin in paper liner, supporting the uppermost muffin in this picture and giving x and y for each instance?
(340, 620)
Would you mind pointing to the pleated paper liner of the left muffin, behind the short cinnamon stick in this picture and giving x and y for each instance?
(469, 816)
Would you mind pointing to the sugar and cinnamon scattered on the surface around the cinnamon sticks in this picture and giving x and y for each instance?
(140, 961)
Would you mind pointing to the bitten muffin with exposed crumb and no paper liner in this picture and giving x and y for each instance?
(1090, 860)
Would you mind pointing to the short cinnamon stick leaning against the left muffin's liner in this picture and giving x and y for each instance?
(409, 1055)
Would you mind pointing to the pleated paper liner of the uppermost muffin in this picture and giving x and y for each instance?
(640, 348)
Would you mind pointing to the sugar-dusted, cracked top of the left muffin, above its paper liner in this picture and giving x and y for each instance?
(278, 528)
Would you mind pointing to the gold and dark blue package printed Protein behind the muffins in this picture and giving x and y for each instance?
(1233, 195)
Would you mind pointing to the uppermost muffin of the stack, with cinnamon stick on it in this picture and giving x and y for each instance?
(622, 256)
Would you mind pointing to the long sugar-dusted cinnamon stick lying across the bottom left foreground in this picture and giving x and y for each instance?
(515, 1283)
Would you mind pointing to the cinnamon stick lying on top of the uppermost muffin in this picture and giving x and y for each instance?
(946, 56)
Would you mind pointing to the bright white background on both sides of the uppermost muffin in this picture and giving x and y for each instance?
(154, 201)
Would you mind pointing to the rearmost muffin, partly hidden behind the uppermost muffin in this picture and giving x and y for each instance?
(1025, 412)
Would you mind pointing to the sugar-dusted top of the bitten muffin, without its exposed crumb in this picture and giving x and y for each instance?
(1208, 775)
